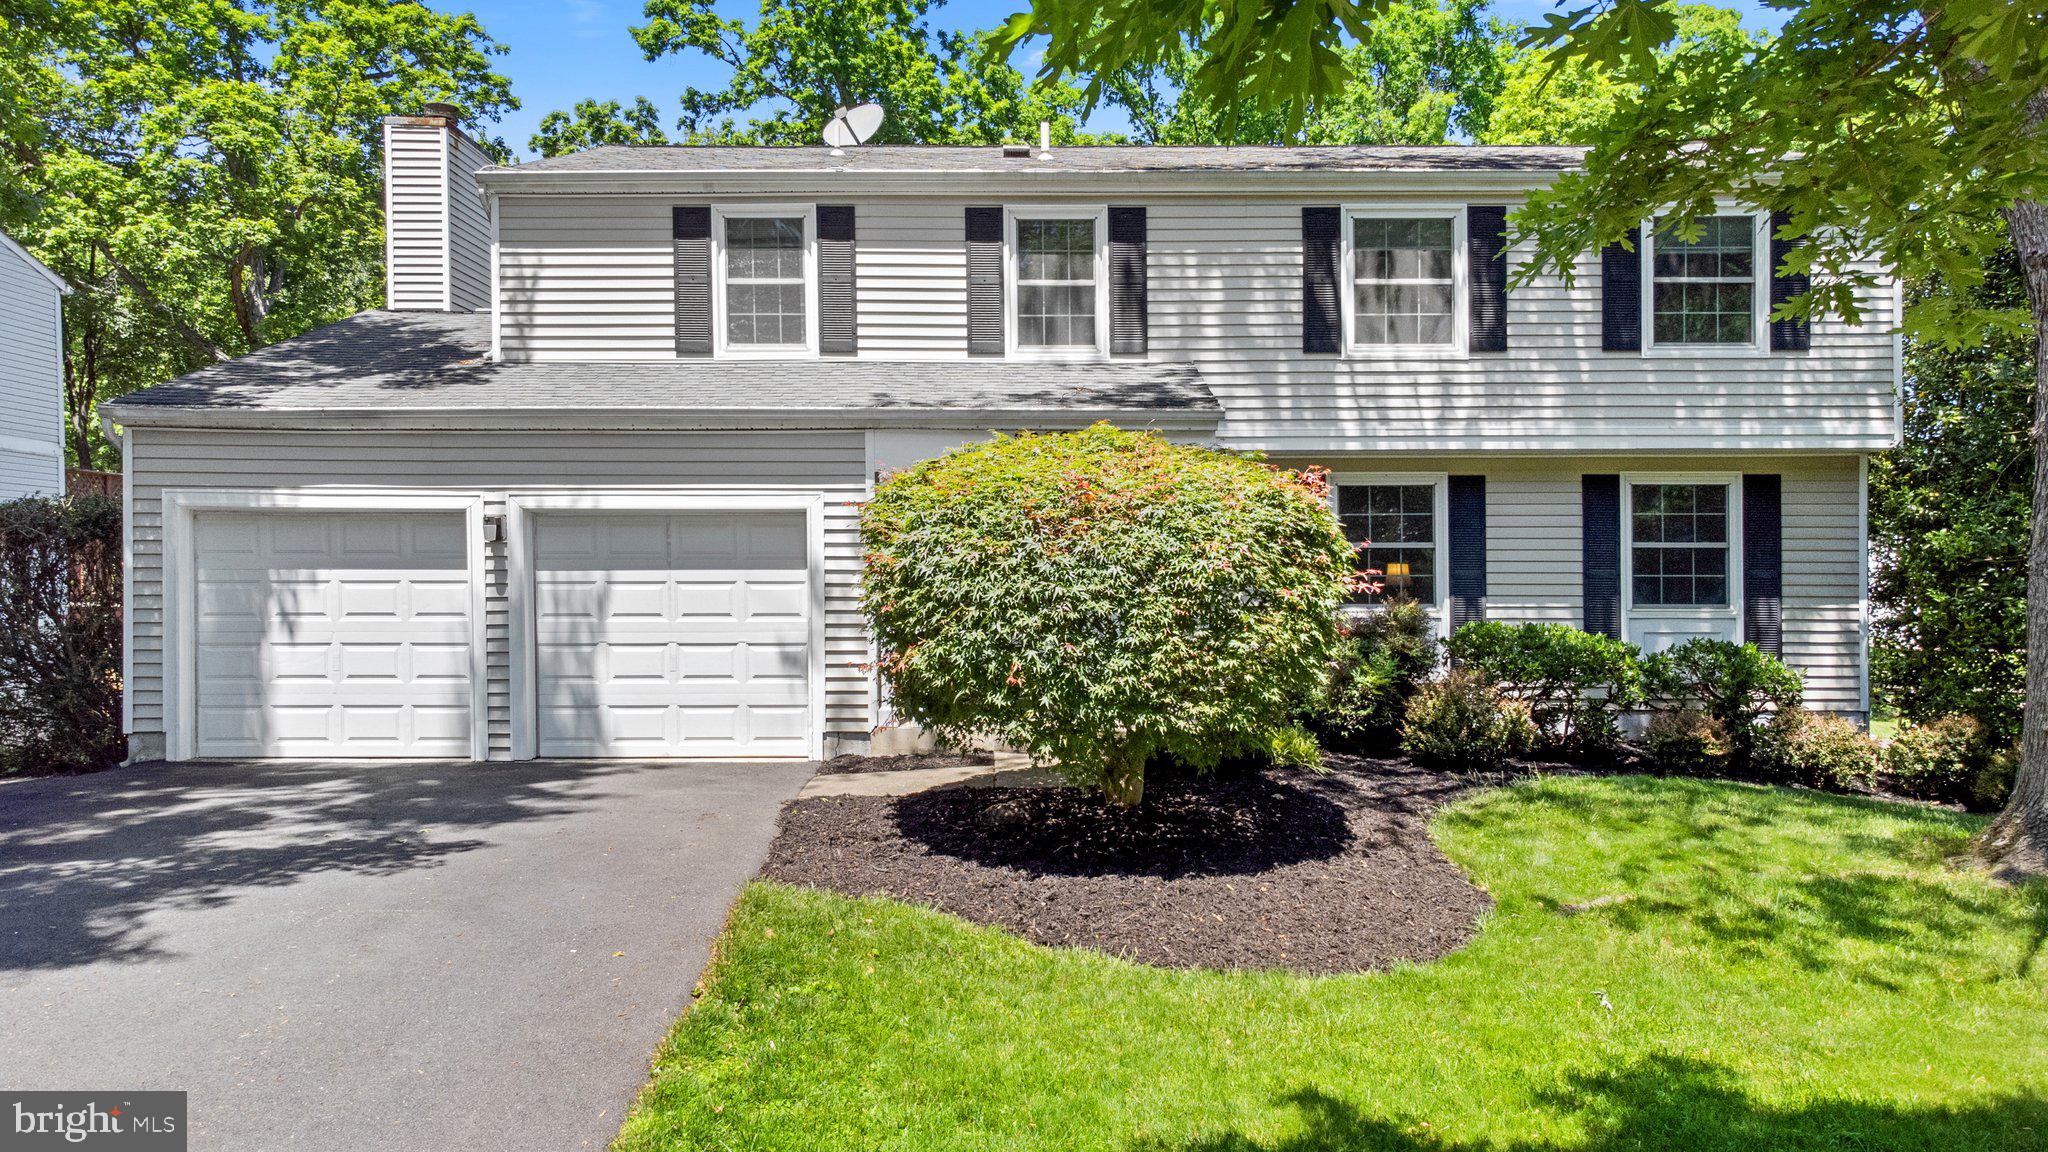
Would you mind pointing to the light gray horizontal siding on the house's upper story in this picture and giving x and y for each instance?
(591, 278)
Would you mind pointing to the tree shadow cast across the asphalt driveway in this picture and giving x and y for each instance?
(87, 858)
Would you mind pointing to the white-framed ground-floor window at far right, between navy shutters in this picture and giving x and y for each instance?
(1678, 542)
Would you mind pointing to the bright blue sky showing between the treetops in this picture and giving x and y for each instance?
(568, 50)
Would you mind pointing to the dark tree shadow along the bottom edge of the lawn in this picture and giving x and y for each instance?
(1662, 1102)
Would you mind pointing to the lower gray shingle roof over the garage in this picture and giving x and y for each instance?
(427, 362)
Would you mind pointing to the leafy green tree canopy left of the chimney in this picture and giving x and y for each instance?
(206, 173)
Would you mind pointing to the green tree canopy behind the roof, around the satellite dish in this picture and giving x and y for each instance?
(802, 60)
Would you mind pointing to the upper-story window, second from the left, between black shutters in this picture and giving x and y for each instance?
(1060, 276)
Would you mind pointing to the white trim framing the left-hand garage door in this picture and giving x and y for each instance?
(181, 587)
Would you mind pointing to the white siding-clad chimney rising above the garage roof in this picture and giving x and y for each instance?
(437, 233)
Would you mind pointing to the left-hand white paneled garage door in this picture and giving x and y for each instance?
(333, 634)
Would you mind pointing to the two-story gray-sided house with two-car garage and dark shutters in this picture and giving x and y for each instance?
(601, 499)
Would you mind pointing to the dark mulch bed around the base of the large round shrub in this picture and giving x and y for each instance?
(1273, 868)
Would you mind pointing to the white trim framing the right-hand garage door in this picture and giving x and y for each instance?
(521, 513)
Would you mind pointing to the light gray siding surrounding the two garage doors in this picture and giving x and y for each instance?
(499, 464)
